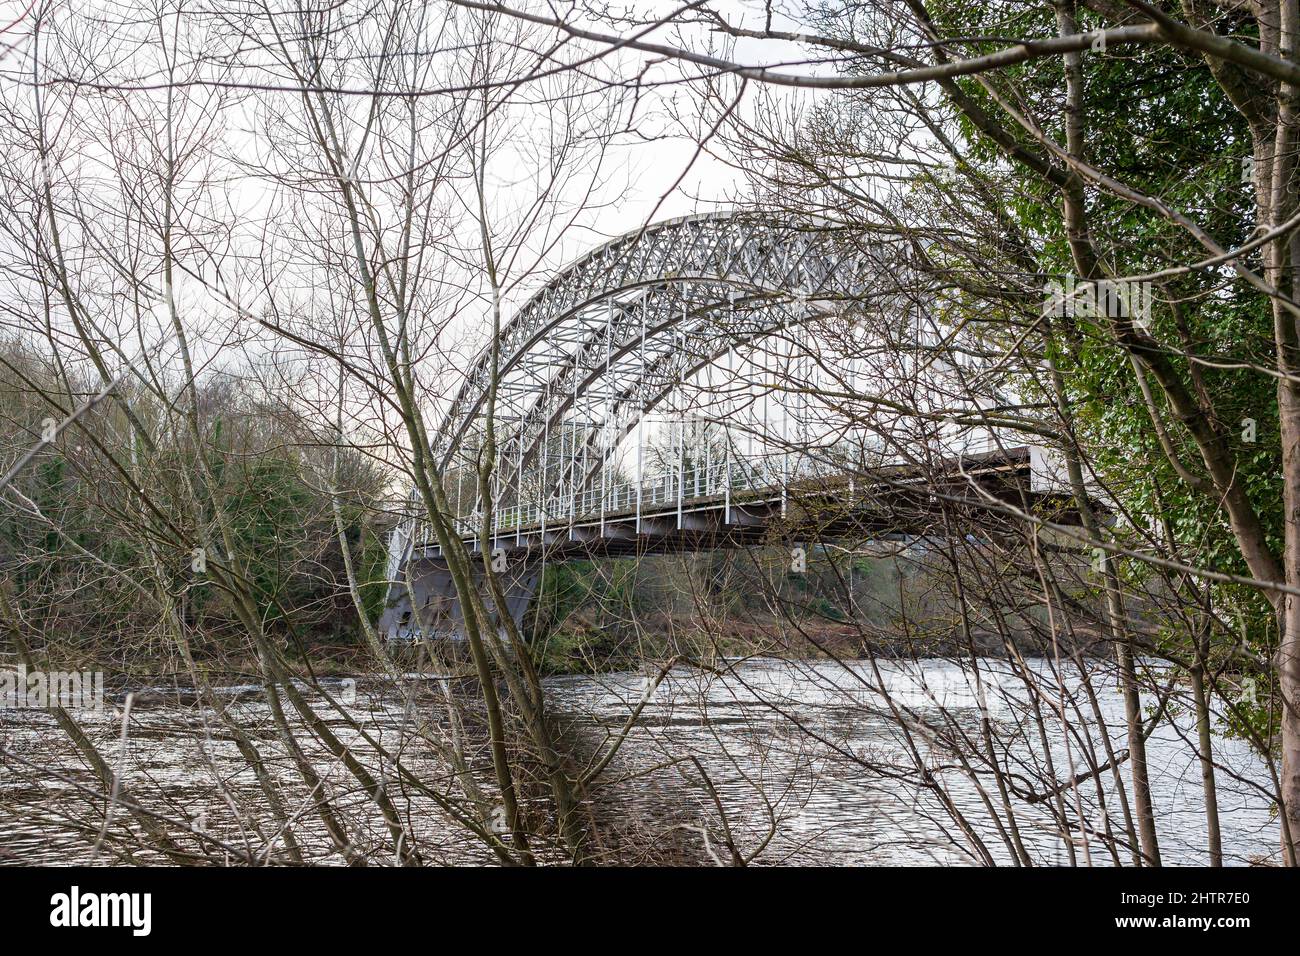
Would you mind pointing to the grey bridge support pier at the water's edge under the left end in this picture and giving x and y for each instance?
(431, 607)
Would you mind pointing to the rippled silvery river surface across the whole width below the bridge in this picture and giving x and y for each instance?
(803, 762)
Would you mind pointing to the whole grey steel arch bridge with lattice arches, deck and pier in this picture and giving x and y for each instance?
(606, 347)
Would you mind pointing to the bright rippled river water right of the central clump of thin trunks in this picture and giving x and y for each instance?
(833, 806)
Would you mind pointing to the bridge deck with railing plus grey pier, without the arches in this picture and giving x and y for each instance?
(892, 507)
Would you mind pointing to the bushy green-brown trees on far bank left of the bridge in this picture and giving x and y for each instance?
(102, 530)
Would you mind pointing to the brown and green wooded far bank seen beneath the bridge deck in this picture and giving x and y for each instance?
(616, 615)
